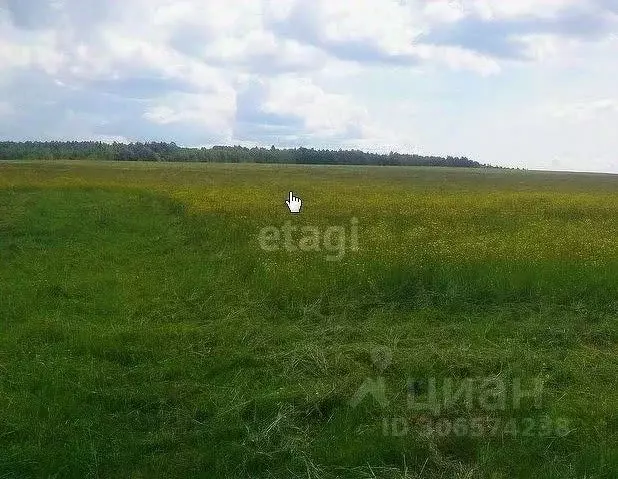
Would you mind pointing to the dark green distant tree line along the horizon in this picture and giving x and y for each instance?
(159, 151)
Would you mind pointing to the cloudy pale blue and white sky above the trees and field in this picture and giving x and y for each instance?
(518, 83)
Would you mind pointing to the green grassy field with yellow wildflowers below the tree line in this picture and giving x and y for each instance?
(146, 333)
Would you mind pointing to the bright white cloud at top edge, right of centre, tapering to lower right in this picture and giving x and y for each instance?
(383, 30)
